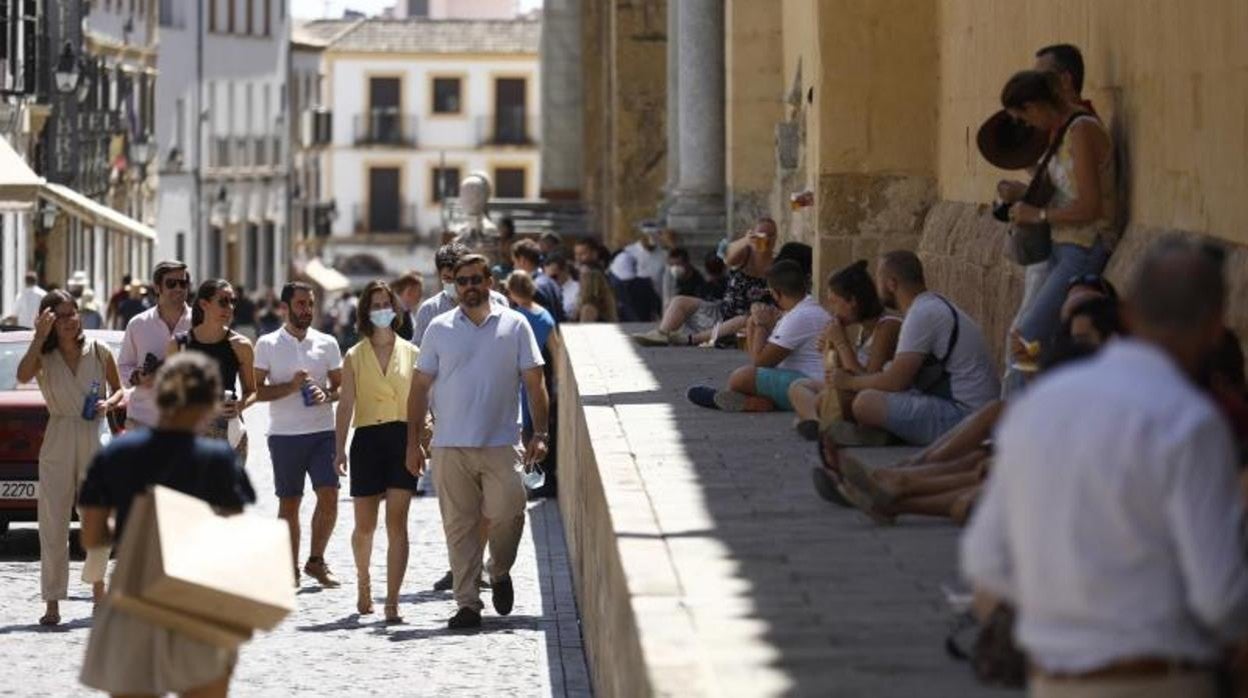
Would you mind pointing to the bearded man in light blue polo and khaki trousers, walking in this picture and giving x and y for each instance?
(474, 360)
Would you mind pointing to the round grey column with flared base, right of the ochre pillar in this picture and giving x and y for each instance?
(698, 213)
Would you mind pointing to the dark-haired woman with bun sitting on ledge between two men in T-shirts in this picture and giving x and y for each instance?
(854, 302)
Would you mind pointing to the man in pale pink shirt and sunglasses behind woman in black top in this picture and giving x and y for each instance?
(148, 338)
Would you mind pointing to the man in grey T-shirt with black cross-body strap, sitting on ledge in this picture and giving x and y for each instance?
(942, 373)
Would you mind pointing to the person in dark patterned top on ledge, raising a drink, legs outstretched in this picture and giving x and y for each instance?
(691, 322)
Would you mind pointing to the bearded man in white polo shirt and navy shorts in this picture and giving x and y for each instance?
(299, 370)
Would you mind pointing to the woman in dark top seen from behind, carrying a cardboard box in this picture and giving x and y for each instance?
(128, 656)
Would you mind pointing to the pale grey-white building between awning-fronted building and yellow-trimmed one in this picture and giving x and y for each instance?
(224, 134)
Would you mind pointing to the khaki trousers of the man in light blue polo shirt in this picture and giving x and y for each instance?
(476, 484)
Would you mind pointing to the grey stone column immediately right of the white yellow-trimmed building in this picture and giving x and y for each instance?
(562, 108)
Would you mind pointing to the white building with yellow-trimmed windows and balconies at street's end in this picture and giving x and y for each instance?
(416, 107)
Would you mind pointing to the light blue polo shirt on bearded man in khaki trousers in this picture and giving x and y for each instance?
(476, 376)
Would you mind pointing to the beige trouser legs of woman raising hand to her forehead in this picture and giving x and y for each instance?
(69, 446)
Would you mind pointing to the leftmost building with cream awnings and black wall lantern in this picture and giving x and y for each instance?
(79, 83)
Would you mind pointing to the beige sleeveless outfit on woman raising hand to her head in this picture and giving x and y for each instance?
(69, 445)
